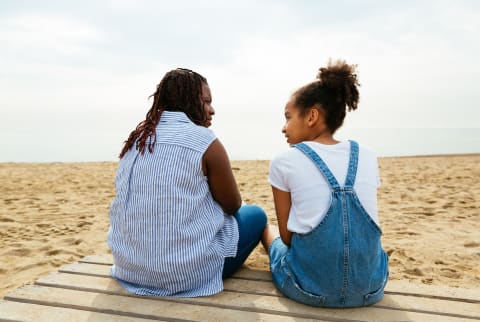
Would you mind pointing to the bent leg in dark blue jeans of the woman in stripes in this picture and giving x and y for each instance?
(251, 221)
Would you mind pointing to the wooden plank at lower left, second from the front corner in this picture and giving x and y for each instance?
(140, 307)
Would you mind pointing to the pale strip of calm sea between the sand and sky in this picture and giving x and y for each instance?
(248, 144)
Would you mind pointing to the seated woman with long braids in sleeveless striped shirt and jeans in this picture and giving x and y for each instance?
(176, 223)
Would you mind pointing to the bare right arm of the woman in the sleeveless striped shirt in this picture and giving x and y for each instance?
(216, 166)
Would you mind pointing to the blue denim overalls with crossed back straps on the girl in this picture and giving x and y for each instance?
(340, 263)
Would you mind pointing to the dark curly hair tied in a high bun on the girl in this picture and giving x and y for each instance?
(335, 91)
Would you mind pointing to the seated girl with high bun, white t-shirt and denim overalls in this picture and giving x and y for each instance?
(329, 252)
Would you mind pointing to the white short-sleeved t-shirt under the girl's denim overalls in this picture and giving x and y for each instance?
(294, 172)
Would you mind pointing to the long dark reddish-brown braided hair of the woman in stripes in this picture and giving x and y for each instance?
(179, 90)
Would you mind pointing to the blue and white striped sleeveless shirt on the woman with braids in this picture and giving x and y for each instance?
(168, 236)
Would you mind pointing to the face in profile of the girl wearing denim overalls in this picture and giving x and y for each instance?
(295, 128)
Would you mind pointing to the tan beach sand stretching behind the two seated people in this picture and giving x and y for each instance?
(429, 207)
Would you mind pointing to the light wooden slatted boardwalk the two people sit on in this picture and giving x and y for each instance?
(83, 291)
